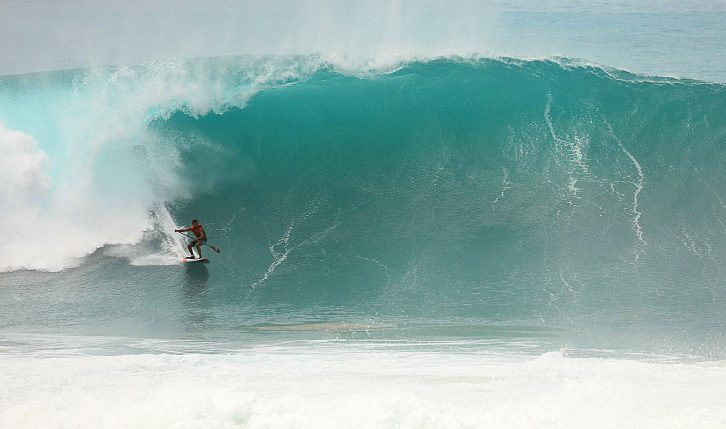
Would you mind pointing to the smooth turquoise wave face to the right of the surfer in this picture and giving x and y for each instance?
(495, 188)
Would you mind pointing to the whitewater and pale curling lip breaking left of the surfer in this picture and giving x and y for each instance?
(99, 176)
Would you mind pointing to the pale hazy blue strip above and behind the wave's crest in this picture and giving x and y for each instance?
(655, 37)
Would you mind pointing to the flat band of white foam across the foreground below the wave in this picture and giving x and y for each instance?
(356, 388)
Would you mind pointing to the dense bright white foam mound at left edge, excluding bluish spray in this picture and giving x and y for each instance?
(45, 230)
